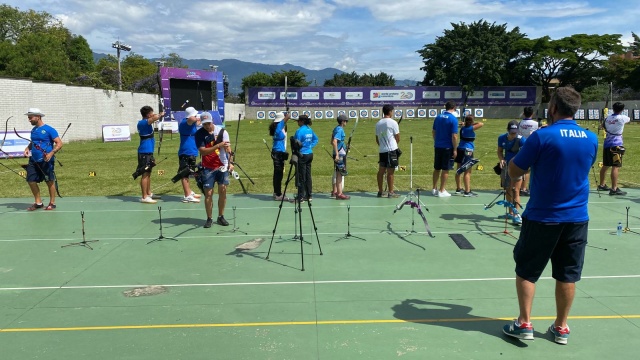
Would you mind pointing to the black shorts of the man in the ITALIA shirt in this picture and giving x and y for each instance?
(563, 243)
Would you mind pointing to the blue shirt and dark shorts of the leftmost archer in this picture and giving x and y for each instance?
(39, 170)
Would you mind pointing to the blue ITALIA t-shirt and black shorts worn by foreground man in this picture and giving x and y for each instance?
(555, 222)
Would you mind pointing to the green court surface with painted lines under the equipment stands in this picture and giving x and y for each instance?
(383, 293)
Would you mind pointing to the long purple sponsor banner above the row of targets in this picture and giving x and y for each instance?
(416, 96)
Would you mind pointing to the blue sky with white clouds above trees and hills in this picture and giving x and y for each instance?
(351, 35)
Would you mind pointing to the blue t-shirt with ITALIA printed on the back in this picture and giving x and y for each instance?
(560, 157)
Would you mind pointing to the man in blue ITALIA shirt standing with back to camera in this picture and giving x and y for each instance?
(555, 221)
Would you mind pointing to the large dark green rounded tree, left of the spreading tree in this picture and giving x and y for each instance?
(470, 56)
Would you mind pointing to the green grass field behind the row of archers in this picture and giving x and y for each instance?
(113, 163)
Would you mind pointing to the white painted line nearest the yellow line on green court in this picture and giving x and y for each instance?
(321, 282)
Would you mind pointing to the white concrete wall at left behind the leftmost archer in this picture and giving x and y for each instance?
(86, 108)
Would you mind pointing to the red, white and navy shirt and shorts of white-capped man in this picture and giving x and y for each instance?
(215, 165)
